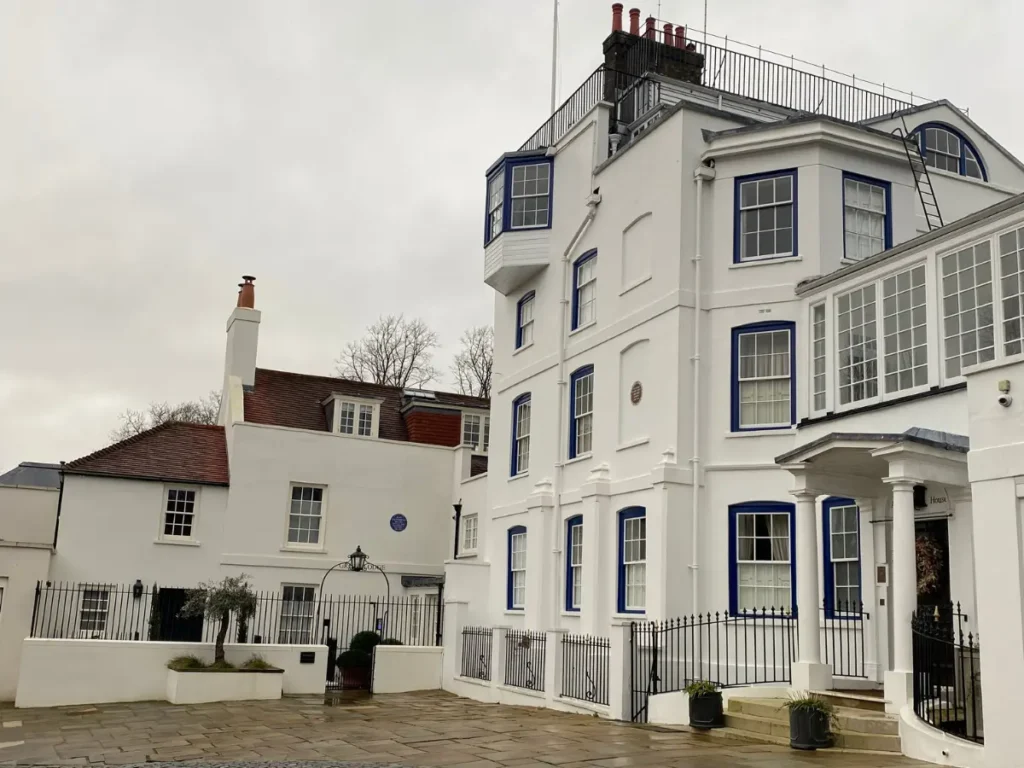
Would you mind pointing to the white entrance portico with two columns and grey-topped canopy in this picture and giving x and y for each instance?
(880, 472)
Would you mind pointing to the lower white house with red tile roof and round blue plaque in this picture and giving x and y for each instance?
(301, 472)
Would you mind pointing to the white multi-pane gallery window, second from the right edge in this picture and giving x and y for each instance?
(945, 295)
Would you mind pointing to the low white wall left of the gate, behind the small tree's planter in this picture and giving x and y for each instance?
(58, 673)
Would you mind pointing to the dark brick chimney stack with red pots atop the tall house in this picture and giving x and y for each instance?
(651, 50)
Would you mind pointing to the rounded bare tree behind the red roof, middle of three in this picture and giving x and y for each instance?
(395, 352)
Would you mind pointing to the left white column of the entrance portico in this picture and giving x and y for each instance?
(808, 673)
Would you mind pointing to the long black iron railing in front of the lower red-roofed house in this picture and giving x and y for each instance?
(293, 617)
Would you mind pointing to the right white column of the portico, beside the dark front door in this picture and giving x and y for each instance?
(904, 573)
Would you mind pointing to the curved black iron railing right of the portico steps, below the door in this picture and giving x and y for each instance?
(948, 673)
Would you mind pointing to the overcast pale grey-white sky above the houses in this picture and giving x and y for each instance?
(152, 152)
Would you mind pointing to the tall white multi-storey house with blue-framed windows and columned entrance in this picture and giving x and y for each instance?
(687, 420)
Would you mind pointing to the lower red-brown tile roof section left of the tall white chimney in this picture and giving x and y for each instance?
(184, 453)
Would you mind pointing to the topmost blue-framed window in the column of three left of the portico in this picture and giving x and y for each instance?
(765, 217)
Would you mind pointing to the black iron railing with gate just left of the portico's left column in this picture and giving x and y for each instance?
(729, 651)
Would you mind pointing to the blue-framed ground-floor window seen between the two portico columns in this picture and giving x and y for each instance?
(841, 547)
